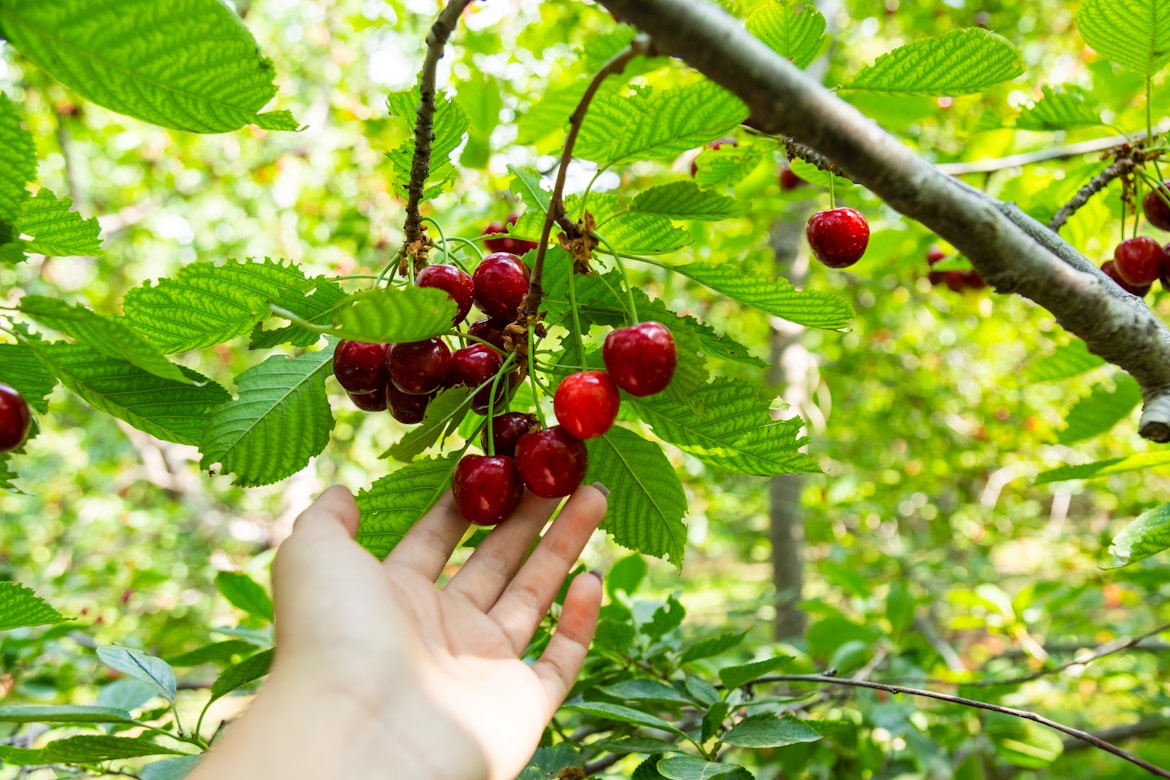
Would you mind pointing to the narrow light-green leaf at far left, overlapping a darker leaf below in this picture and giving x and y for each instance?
(109, 336)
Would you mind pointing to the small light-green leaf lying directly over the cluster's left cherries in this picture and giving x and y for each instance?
(395, 315)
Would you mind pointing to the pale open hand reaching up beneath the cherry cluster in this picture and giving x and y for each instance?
(382, 674)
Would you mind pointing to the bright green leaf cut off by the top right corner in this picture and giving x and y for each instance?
(1133, 33)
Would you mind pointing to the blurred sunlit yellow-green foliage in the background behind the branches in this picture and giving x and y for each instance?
(923, 417)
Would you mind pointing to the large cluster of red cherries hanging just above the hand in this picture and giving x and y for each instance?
(519, 452)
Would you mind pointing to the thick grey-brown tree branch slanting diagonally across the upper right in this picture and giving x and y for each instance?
(1010, 251)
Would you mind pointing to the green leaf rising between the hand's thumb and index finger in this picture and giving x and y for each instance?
(396, 502)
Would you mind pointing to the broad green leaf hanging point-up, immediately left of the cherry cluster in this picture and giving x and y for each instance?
(280, 422)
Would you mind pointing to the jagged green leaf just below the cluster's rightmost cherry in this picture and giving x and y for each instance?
(734, 430)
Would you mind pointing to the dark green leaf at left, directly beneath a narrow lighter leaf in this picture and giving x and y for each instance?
(164, 409)
